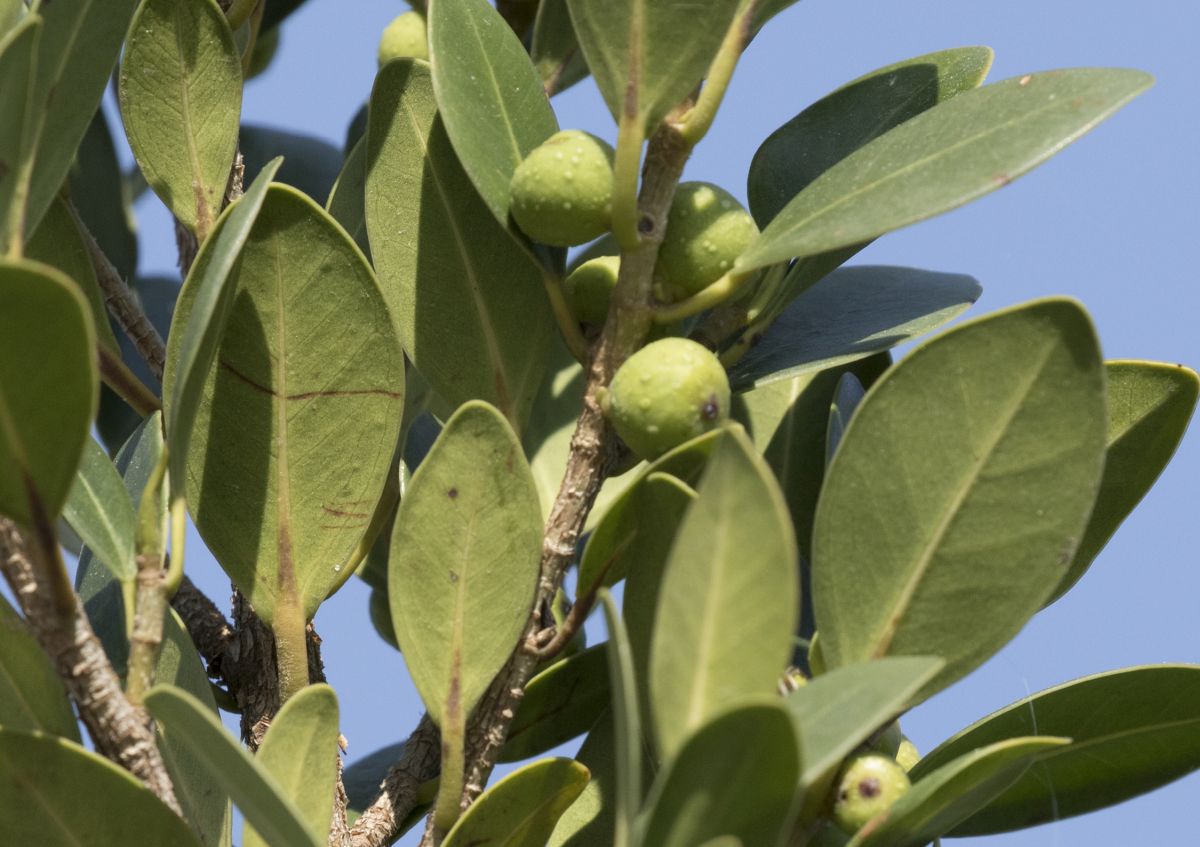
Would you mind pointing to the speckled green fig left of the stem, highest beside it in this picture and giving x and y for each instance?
(562, 193)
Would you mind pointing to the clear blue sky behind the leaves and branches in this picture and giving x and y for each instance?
(1106, 223)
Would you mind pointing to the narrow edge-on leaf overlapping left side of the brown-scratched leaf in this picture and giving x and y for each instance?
(197, 332)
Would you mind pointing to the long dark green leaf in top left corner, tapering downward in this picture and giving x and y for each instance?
(79, 50)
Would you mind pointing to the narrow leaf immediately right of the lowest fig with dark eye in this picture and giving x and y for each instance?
(940, 801)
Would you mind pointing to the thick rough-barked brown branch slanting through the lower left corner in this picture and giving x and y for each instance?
(119, 731)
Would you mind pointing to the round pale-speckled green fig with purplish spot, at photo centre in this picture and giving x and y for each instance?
(668, 393)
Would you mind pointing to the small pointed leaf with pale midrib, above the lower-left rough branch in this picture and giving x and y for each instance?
(100, 510)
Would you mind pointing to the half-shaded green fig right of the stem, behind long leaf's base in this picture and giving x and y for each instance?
(707, 231)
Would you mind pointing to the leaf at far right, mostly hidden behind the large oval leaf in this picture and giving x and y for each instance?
(1150, 406)
